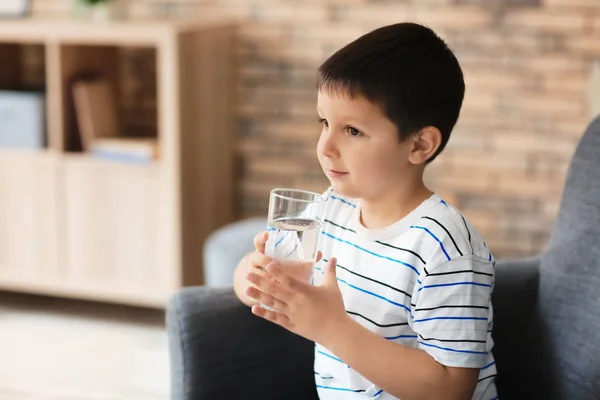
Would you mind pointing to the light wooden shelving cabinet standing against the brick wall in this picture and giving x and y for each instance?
(75, 225)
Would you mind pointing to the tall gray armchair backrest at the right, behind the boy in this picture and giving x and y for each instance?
(569, 285)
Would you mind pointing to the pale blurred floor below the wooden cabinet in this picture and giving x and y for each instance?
(56, 349)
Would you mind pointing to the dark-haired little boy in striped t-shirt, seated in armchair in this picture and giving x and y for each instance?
(401, 302)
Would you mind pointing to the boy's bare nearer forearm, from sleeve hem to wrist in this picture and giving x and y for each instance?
(404, 372)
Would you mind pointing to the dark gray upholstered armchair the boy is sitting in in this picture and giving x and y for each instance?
(546, 326)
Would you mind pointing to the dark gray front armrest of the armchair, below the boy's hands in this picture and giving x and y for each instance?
(219, 349)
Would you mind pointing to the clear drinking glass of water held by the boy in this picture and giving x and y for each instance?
(295, 218)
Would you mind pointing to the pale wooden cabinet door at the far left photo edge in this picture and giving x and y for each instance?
(28, 216)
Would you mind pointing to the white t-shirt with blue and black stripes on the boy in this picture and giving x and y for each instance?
(424, 282)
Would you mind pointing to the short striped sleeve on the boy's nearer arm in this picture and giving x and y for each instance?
(452, 313)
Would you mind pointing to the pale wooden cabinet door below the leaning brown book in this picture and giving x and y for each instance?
(112, 229)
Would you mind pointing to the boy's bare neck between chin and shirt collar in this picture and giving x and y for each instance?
(395, 205)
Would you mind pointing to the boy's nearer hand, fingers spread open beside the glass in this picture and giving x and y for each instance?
(313, 312)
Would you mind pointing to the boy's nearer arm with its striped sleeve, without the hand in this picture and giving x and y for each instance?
(452, 305)
